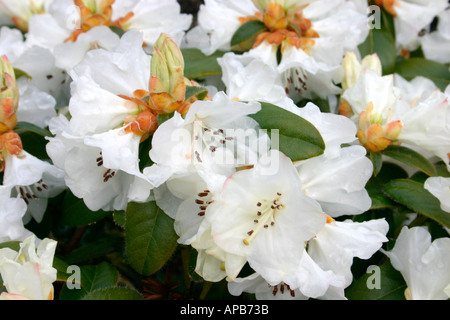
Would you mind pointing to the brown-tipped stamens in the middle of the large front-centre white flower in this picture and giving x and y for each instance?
(266, 212)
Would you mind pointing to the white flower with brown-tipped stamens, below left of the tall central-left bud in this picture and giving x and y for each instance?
(87, 176)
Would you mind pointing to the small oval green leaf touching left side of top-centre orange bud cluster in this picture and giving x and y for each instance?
(245, 36)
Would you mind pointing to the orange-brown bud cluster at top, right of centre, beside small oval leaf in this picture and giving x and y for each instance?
(284, 28)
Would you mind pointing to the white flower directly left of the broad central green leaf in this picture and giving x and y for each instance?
(211, 136)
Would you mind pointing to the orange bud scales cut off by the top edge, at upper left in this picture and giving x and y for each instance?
(94, 13)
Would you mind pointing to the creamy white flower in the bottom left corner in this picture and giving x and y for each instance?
(29, 273)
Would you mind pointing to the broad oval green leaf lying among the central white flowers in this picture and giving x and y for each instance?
(298, 138)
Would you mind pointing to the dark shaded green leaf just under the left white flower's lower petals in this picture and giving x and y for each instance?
(76, 213)
